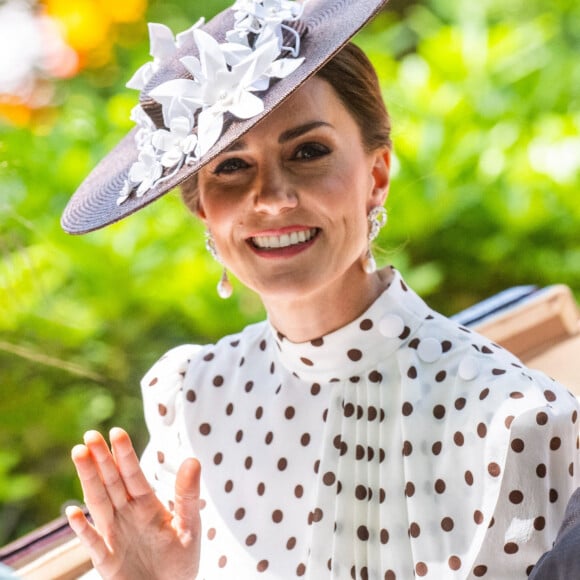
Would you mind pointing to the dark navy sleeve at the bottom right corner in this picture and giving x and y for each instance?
(562, 562)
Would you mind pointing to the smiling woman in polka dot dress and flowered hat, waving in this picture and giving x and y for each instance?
(355, 433)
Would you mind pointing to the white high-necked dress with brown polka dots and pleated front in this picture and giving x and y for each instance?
(400, 446)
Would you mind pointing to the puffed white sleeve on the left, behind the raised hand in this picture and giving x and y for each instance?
(162, 391)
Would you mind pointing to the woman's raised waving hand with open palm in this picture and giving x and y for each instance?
(134, 535)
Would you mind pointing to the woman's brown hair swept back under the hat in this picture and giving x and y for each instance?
(354, 79)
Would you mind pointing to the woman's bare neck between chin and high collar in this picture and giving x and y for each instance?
(312, 315)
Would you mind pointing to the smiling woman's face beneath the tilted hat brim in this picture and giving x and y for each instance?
(287, 203)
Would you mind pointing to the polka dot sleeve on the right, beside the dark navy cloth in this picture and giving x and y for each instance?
(541, 473)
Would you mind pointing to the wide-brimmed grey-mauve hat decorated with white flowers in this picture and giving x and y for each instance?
(204, 90)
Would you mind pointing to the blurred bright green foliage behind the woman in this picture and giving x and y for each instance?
(484, 98)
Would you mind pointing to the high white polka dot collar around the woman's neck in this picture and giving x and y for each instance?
(347, 353)
